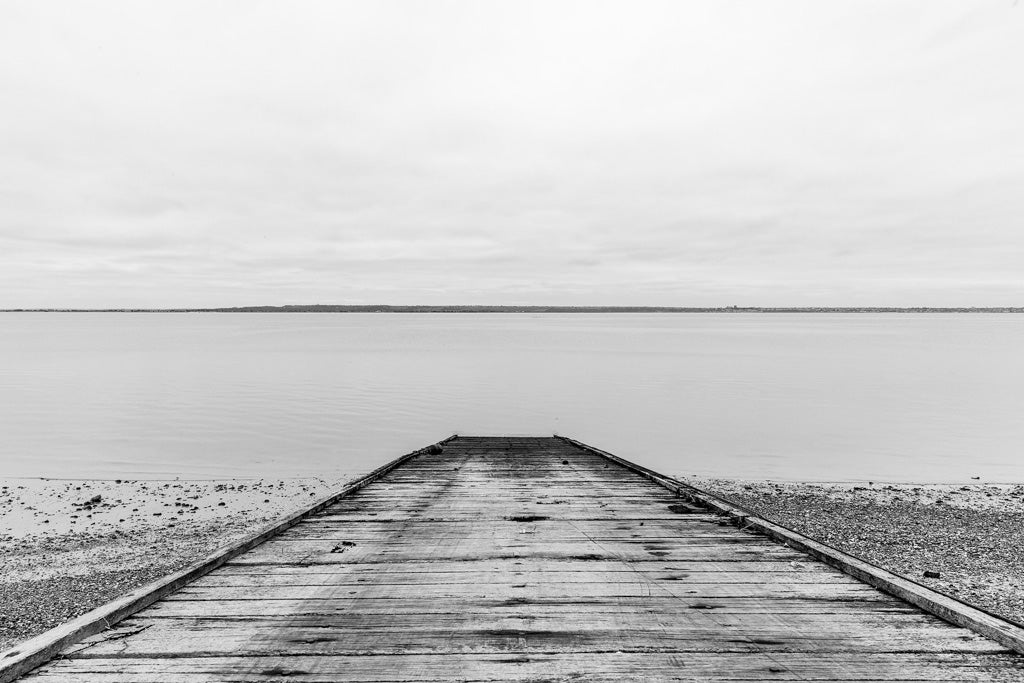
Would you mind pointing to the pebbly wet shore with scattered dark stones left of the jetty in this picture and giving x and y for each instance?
(67, 547)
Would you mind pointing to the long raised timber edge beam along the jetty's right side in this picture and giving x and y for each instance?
(951, 610)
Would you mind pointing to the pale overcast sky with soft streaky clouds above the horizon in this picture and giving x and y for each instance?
(717, 153)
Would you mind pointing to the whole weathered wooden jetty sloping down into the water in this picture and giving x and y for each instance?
(525, 560)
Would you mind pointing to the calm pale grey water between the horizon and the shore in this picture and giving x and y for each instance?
(924, 398)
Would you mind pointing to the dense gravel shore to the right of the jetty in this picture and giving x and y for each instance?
(971, 536)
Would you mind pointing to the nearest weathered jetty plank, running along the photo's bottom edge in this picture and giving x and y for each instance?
(534, 667)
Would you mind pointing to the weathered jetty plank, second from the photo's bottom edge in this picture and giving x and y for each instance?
(168, 639)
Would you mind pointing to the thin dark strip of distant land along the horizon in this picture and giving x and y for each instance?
(331, 309)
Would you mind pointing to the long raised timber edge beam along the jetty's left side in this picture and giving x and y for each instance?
(31, 654)
